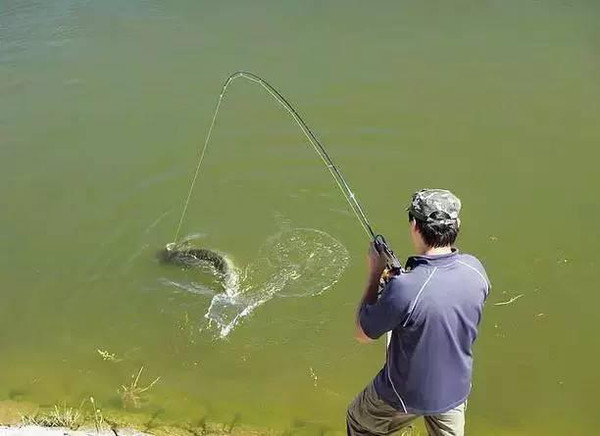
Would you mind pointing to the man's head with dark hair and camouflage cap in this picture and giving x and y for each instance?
(433, 217)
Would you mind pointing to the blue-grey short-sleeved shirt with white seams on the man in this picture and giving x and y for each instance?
(433, 310)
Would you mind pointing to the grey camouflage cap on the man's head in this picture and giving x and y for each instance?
(426, 202)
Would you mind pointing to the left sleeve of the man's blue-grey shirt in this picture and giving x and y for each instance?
(386, 313)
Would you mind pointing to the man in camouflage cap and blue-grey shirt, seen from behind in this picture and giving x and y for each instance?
(432, 309)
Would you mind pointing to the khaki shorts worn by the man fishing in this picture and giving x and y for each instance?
(369, 415)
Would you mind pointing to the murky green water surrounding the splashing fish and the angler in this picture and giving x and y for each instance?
(103, 107)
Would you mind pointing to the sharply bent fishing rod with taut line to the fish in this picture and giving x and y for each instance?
(379, 242)
